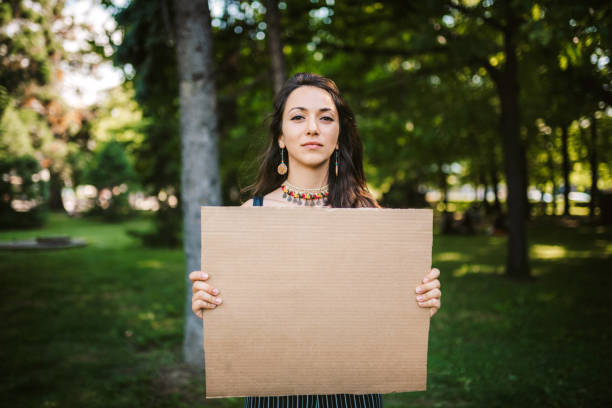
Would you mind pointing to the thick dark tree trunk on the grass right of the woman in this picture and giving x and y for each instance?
(517, 265)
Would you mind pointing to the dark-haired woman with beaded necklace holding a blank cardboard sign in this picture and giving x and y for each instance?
(314, 159)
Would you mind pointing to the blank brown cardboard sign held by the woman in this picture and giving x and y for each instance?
(315, 300)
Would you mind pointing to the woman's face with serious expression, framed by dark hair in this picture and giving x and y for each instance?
(310, 127)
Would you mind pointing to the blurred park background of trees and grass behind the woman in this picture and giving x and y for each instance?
(118, 119)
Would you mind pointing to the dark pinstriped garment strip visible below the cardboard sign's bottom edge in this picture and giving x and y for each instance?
(316, 401)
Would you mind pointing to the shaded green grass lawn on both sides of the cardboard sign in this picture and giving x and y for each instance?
(102, 325)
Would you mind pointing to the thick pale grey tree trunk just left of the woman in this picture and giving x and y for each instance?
(199, 145)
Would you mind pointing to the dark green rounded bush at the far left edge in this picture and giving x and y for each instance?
(22, 185)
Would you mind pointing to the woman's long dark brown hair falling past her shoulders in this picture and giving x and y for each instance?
(349, 188)
